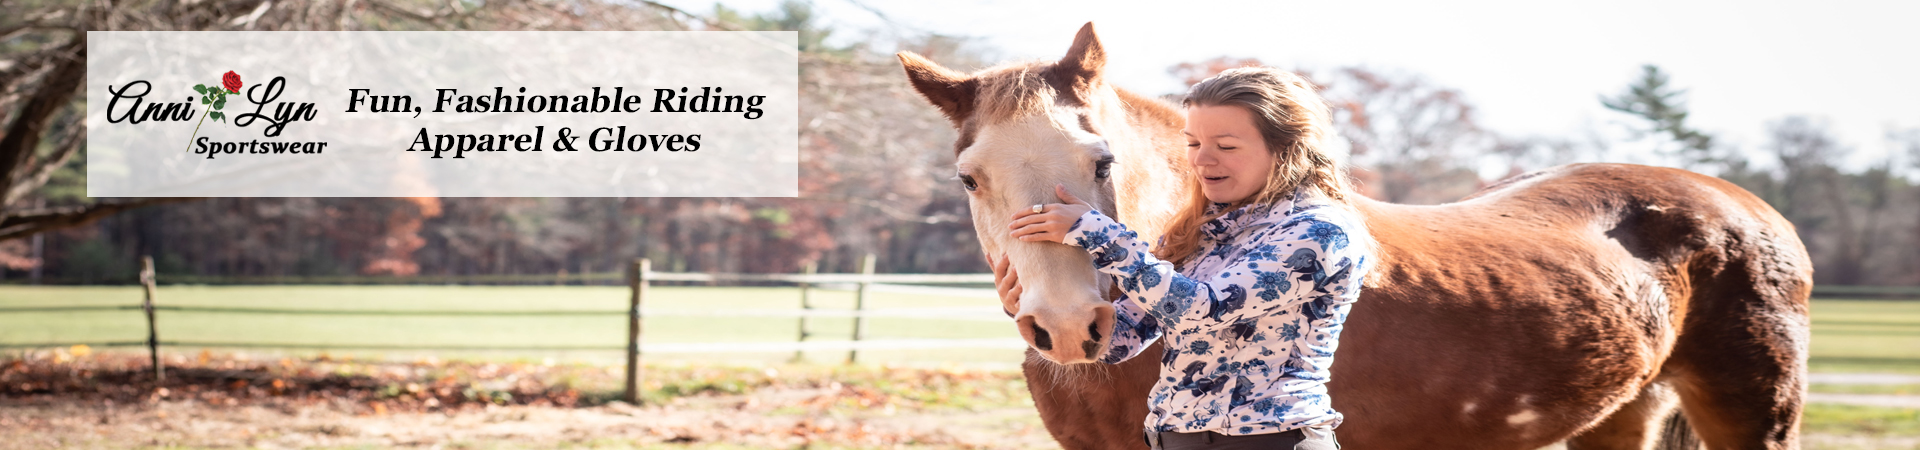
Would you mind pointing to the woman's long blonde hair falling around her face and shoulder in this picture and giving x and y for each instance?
(1295, 124)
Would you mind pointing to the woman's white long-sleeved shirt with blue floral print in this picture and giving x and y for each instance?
(1251, 322)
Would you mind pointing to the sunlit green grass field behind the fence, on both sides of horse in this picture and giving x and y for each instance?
(1848, 336)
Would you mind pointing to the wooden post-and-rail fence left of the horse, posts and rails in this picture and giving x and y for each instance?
(638, 278)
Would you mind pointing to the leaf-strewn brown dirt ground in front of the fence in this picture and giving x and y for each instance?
(214, 403)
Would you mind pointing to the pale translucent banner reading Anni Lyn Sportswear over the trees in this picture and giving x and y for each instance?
(443, 114)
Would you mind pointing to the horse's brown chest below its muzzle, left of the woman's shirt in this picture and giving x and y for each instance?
(1092, 407)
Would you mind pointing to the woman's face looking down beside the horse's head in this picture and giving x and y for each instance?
(1228, 153)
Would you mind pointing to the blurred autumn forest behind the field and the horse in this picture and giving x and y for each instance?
(876, 172)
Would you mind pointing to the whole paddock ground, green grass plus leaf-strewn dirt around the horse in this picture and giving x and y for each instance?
(1865, 362)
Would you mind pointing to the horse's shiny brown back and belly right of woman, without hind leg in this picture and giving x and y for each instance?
(1585, 276)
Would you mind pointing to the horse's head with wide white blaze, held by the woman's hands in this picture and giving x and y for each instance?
(1026, 128)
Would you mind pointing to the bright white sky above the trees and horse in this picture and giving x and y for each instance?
(1531, 68)
